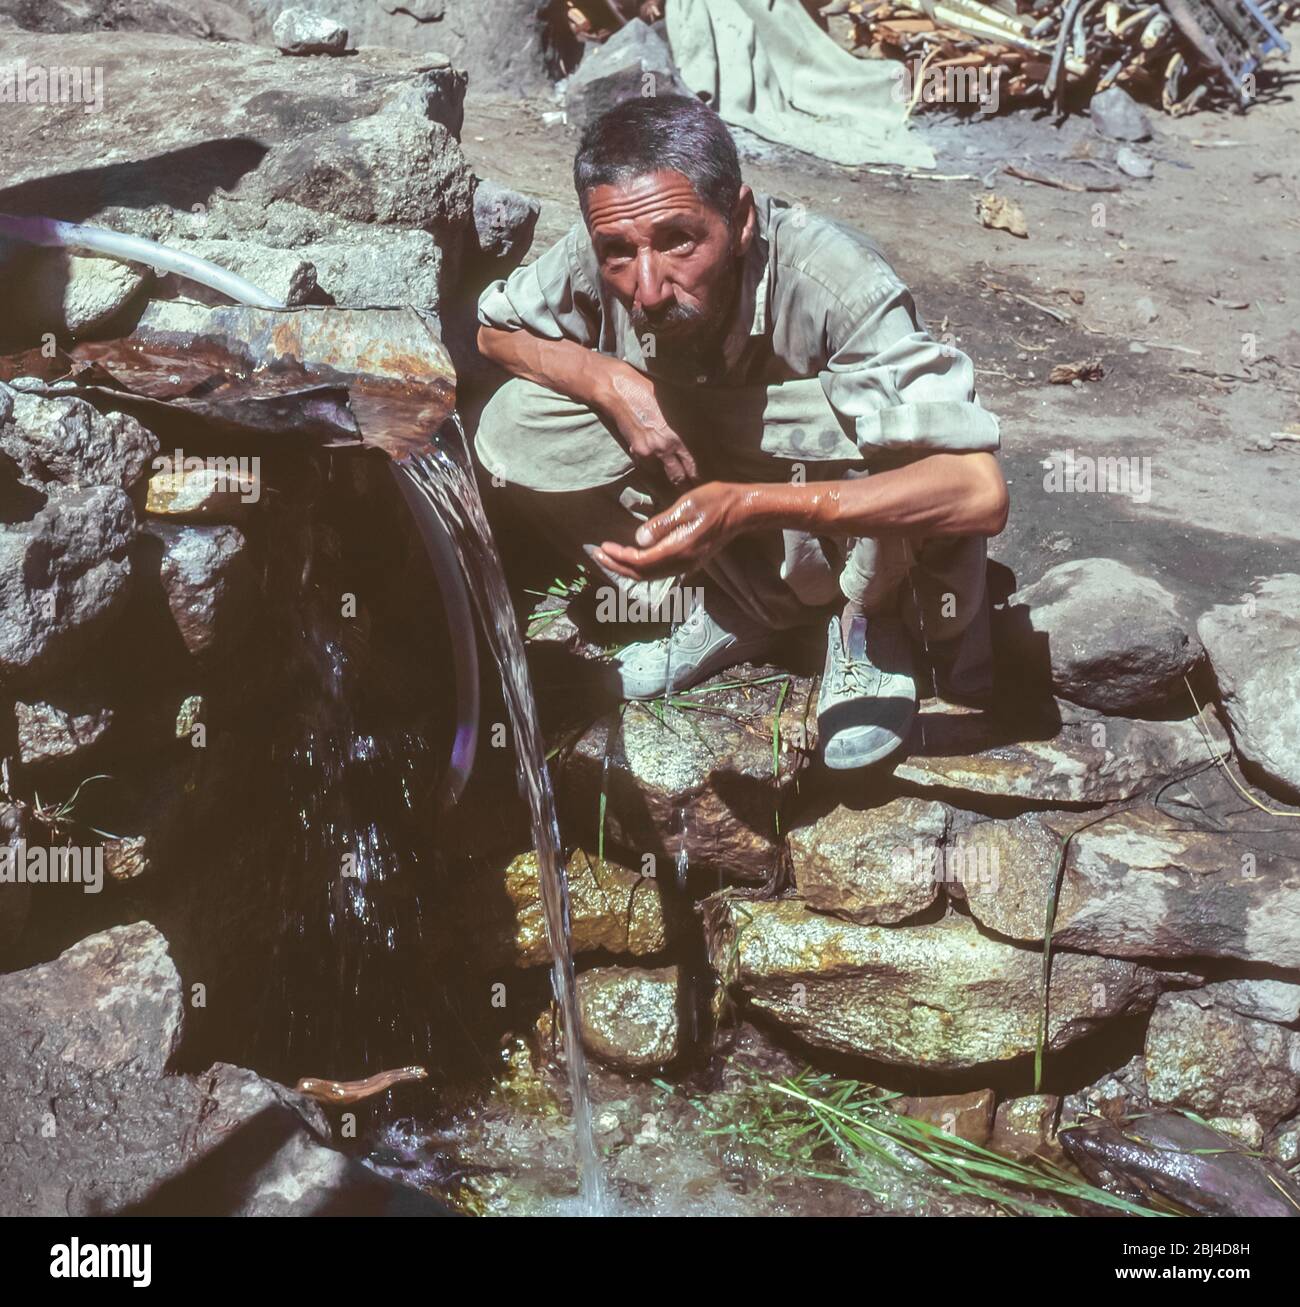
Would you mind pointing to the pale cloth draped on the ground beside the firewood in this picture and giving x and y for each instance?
(768, 67)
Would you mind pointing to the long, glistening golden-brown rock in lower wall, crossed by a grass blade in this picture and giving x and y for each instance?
(941, 995)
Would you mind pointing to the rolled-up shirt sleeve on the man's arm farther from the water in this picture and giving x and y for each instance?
(903, 391)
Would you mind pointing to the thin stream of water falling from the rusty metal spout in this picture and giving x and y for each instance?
(446, 487)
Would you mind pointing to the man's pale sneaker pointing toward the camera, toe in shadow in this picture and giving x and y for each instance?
(868, 697)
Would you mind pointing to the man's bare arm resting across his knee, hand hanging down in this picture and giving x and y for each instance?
(608, 386)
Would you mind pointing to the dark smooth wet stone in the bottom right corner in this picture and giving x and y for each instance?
(1184, 1161)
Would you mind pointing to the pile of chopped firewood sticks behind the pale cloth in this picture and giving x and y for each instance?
(1173, 53)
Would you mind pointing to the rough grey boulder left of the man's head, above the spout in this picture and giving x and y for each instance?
(391, 168)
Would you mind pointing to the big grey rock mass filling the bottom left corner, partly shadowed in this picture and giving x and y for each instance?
(97, 1126)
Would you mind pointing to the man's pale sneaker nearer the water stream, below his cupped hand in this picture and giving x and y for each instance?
(698, 648)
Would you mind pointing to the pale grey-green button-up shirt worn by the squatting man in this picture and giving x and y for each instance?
(817, 300)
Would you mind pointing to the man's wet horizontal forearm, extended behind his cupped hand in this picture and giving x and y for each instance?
(944, 495)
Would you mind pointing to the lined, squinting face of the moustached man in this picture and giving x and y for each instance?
(670, 258)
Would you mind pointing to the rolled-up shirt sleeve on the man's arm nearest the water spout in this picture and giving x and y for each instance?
(553, 297)
